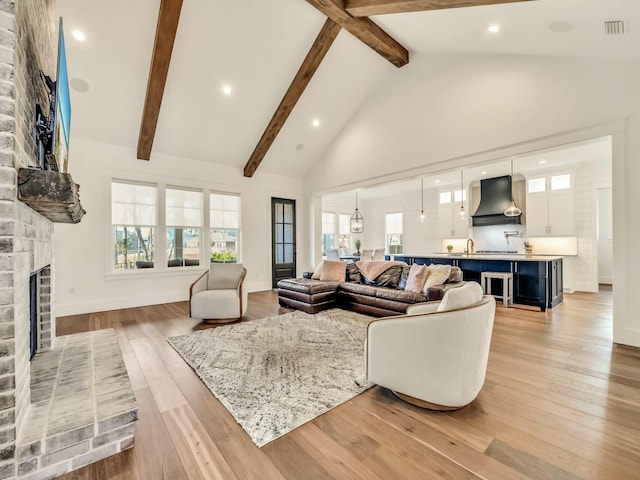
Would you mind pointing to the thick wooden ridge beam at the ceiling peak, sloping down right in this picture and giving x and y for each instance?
(365, 30)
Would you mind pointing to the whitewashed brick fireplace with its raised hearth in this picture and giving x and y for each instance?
(73, 404)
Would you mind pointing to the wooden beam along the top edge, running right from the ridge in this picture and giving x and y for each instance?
(366, 8)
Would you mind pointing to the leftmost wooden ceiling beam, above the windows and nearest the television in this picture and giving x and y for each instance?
(166, 29)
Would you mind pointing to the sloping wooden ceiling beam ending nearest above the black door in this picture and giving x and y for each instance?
(318, 50)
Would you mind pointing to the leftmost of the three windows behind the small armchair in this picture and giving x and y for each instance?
(133, 221)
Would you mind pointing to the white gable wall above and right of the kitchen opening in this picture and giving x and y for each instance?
(446, 111)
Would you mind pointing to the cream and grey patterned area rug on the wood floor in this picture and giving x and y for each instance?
(278, 373)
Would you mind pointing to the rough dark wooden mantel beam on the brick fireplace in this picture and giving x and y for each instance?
(53, 194)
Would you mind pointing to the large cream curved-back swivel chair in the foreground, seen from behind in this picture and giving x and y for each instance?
(435, 356)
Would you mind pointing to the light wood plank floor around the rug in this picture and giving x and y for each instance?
(560, 402)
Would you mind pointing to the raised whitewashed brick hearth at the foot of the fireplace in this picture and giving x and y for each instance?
(82, 406)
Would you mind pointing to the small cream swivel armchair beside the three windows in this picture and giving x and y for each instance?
(218, 296)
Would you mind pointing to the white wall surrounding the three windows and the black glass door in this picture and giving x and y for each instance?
(83, 282)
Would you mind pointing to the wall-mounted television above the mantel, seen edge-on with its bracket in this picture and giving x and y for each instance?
(52, 132)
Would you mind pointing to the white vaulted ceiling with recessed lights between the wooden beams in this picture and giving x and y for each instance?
(257, 48)
